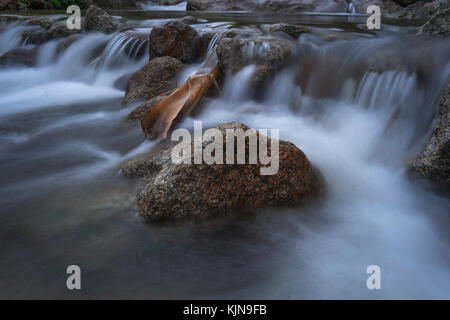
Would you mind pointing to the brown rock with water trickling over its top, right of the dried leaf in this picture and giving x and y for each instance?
(266, 53)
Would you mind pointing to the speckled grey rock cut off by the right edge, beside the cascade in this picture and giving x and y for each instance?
(433, 163)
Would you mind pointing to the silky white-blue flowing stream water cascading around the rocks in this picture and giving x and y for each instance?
(64, 201)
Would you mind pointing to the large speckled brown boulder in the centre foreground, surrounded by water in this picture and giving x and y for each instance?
(200, 190)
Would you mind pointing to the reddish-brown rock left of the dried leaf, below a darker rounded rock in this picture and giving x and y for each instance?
(153, 79)
